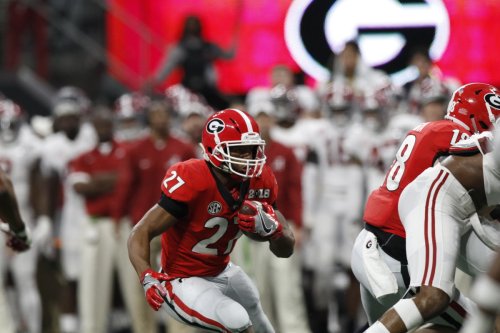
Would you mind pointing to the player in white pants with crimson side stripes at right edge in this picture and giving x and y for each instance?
(434, 210)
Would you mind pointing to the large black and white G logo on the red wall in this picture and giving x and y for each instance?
(387, 31)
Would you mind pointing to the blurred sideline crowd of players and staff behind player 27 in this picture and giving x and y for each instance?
(329, 146)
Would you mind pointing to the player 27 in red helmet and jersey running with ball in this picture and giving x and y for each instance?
(198, 218)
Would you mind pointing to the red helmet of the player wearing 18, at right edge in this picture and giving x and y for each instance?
(475, 106)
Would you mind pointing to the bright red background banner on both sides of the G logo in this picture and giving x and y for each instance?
(140, 33)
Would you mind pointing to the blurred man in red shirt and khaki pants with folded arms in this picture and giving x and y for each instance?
(102, 176)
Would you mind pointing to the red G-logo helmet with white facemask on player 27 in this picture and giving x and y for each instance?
(224, 134)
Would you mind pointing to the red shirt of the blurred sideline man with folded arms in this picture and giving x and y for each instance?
(113, 203)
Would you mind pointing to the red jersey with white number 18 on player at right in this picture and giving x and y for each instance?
(419, 150)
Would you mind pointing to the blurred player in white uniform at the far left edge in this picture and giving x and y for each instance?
(19, 156)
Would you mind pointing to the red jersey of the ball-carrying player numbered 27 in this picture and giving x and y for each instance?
(199, 244)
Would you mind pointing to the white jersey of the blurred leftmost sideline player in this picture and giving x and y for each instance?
(17, 159)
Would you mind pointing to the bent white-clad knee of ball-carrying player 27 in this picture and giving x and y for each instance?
(233, 316)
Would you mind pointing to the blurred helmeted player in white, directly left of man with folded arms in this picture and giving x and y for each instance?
(72, 136)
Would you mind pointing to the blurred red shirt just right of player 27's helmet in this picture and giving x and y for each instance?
(288, 172)
